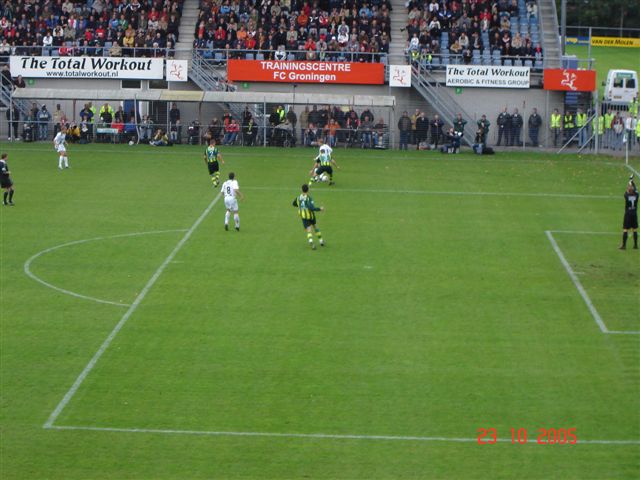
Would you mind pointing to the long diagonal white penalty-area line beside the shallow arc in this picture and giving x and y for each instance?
(132, 308)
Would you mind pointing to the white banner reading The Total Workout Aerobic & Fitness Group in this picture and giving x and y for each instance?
(488, 77)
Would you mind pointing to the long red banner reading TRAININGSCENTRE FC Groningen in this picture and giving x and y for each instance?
(305, 72)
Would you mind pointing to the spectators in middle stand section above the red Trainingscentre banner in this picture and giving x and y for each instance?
(320, 30)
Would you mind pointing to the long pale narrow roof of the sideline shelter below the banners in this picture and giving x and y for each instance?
(197, 96)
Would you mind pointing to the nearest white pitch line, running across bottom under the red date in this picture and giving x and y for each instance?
(319, 435)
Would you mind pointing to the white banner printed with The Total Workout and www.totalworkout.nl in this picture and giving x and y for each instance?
(87, 67)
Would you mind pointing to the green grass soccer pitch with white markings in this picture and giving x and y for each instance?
(456, 293)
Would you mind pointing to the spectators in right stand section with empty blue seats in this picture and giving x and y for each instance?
(478, 32)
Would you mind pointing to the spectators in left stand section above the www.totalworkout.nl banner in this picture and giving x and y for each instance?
(89, 27)
